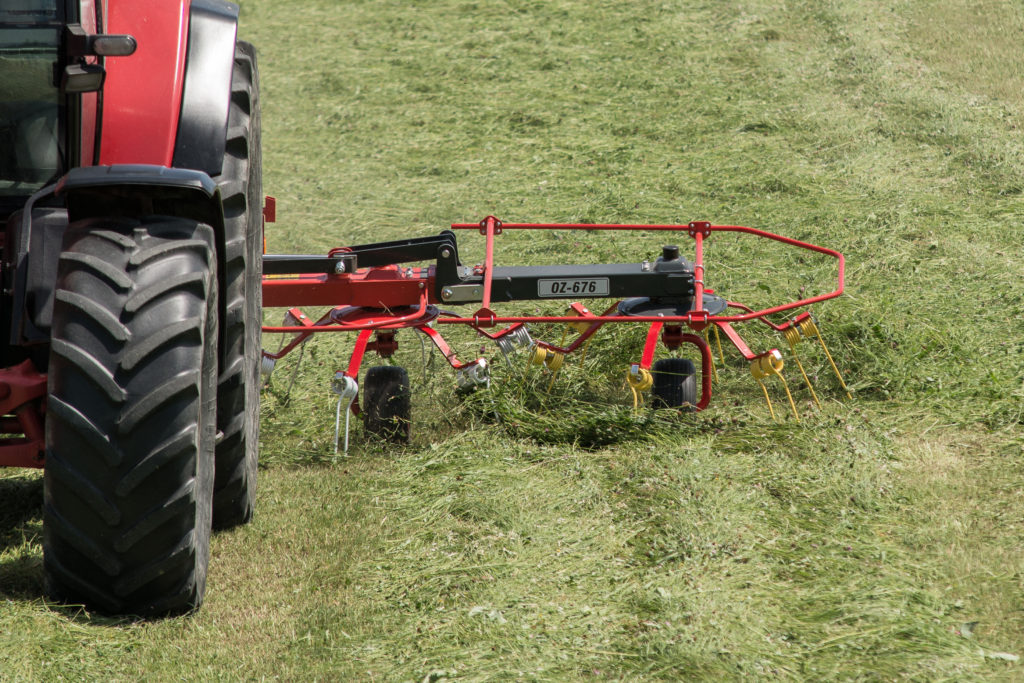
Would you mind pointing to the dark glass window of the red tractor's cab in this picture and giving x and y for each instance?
(30, 36)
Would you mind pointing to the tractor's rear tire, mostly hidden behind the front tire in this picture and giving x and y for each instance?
(238, 387)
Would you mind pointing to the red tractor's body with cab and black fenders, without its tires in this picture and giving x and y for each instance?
(149, 141)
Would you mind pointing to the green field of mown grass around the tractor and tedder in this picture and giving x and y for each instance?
(878, 539)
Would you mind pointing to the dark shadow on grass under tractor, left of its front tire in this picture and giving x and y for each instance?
(21, 538)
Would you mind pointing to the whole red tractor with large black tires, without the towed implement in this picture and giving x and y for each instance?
(132, 202)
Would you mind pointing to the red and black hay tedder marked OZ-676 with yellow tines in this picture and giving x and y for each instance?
(373, 292)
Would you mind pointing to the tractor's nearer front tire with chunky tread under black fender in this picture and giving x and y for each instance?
(131, 425)
